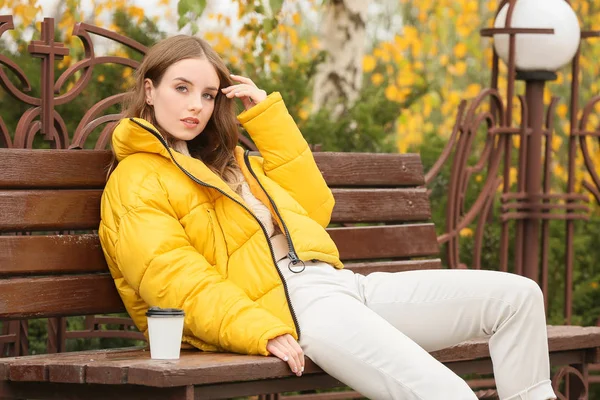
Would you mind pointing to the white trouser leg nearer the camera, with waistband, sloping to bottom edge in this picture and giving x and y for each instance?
(360, 348)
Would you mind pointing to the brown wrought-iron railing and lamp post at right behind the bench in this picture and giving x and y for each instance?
(486, 128)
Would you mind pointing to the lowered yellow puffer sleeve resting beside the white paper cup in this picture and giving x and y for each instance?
(159, 262)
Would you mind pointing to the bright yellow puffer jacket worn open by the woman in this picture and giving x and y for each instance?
(175, 235)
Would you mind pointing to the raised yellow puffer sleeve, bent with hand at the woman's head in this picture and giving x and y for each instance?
(287, 157)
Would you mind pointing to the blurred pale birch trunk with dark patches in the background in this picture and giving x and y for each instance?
(339, 78)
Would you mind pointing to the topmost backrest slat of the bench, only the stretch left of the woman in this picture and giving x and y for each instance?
(22, 168)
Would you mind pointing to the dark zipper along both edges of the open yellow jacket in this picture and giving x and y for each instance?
(201, 183)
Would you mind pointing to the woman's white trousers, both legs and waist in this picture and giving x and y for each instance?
(374, 332)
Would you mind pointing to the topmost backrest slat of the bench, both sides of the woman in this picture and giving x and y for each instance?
(22, 168)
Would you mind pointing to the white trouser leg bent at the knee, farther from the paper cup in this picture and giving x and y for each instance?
(440, 308)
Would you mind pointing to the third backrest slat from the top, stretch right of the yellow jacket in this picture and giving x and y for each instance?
(397, 241)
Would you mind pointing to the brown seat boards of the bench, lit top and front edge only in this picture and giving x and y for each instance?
(134, 366)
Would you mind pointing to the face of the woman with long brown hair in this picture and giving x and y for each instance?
(185, 98)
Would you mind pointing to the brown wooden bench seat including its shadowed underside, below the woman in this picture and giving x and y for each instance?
(224, 375)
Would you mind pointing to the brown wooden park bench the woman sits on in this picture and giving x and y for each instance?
(380, 223)
